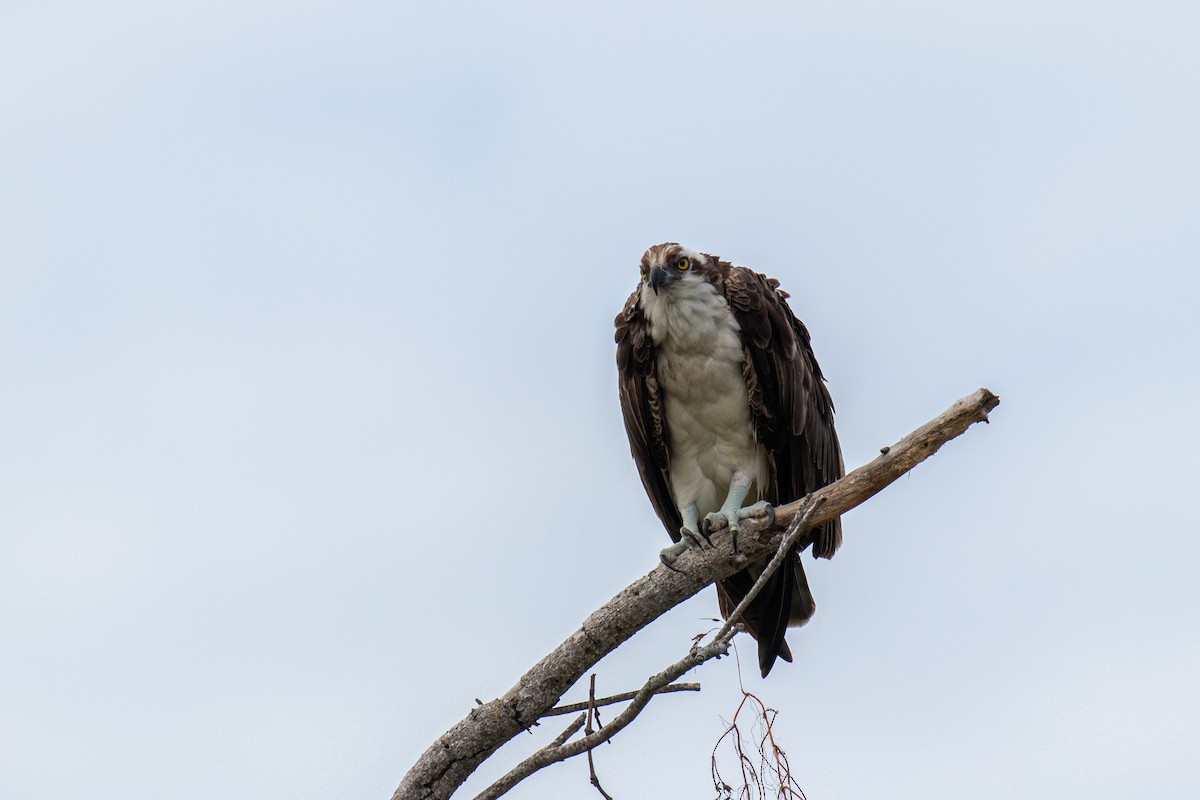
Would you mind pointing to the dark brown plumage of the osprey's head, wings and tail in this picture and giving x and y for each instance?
(793, 417)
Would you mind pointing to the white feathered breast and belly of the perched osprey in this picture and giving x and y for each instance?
(705, 395)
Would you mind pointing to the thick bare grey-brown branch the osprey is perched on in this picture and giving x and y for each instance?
(449, 761)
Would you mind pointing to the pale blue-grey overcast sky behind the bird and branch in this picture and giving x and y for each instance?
(309, 428)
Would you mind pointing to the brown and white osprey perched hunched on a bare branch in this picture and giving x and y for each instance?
(728, 416)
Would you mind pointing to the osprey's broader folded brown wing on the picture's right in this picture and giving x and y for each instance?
(789, 401)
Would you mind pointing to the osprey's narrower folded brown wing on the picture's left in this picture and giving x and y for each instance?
(641, 405)
